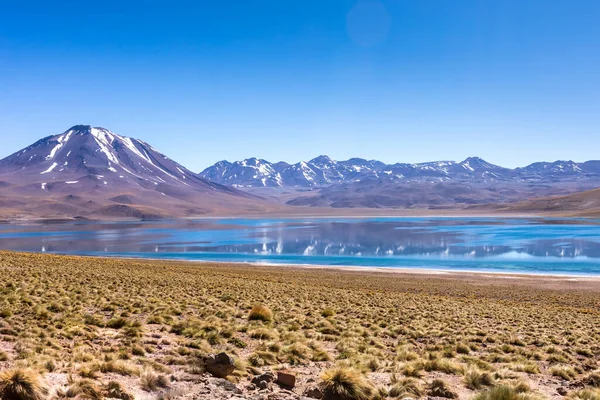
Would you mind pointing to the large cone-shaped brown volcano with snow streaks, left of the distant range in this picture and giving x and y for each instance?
(85, 171)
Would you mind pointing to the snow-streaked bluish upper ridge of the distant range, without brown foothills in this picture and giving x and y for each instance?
(324, 171)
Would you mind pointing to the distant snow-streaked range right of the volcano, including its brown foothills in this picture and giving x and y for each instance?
(357, 182)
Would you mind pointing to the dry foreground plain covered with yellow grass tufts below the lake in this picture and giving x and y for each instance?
(74, 327)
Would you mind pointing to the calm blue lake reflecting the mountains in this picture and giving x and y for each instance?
(546, 246)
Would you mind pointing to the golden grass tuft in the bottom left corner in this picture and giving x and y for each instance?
(21, 384)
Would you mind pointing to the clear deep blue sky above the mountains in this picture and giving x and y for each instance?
(512, 81)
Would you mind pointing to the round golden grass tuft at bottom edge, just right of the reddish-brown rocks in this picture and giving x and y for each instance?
(346, 384)
